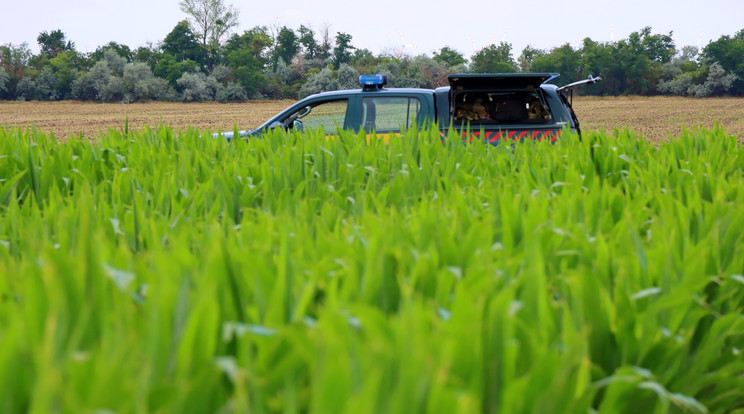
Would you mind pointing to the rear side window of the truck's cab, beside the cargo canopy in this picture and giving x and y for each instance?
(389, 113)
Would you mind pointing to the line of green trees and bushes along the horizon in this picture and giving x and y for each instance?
(198, 61)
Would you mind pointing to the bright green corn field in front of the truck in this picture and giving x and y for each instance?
(163, 271)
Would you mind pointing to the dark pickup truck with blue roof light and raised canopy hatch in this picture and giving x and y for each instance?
(503, 107)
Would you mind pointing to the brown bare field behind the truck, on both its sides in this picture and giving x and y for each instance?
(654, 118)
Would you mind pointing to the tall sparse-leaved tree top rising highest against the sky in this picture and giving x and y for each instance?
(210, 19)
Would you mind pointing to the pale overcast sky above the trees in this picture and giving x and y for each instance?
(388, 25)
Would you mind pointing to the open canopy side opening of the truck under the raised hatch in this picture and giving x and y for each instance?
(502, 107)
